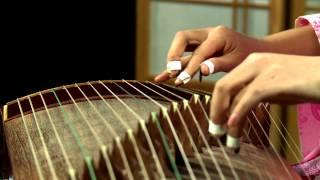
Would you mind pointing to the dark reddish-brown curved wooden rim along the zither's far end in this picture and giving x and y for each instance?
(12, 110)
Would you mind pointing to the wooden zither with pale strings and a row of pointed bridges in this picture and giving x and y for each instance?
(128, 130)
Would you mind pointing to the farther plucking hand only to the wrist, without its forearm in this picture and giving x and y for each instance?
(220, 46)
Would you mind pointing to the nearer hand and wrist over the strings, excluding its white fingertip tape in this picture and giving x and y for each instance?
(263, 77)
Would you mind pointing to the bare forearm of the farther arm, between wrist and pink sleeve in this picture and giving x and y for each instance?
(299, 41)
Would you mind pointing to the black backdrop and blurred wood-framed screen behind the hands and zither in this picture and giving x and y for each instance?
(48, 45)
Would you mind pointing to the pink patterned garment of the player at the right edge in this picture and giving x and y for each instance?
(309, 119)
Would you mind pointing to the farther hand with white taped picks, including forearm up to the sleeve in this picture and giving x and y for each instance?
(221, 49)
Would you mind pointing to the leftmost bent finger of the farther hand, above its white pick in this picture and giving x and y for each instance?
(182, 39)
